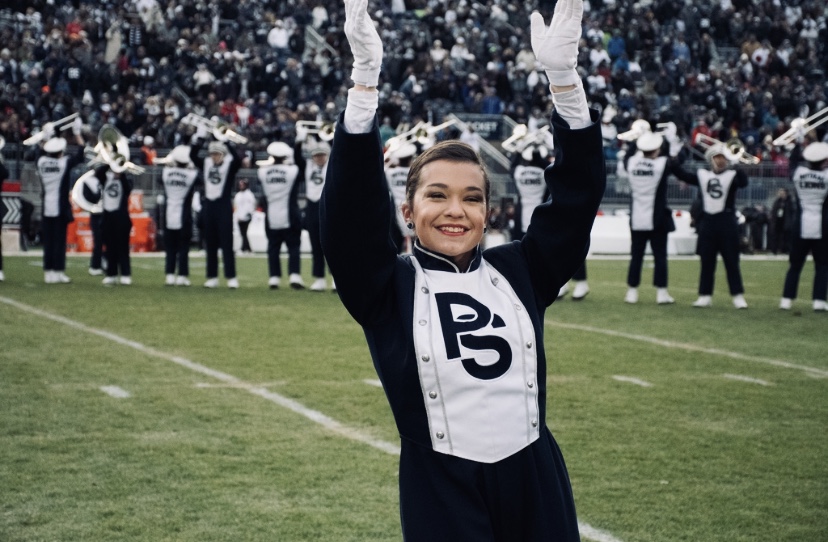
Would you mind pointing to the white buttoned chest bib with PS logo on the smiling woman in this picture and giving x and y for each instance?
(477, 355)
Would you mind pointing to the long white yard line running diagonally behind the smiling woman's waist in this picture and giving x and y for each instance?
(587, 531)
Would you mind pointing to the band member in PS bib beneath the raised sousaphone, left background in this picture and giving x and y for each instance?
(116, 224)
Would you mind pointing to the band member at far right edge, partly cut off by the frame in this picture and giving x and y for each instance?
(811, 232)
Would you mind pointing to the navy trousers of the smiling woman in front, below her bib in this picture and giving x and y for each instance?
(431, 485)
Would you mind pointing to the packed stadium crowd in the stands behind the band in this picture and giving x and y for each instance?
(742, 68)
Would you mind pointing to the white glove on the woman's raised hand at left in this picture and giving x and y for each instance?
(365, 43)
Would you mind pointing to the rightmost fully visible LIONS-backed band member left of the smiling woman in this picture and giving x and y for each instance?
(283, 223)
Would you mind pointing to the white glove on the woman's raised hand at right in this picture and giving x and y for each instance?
(556, 47)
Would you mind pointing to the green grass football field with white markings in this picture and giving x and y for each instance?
(251, 414)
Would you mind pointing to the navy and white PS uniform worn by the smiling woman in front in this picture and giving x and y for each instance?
(429, 325)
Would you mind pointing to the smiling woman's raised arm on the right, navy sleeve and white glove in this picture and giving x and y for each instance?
(557, 239)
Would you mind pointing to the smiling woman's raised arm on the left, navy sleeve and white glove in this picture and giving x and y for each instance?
(355, 206)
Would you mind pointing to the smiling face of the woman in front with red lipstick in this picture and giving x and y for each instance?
(449, 209)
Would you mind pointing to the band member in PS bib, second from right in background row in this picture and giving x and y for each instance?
(717, 226)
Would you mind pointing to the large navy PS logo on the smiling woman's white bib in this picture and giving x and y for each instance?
(458, 331)
